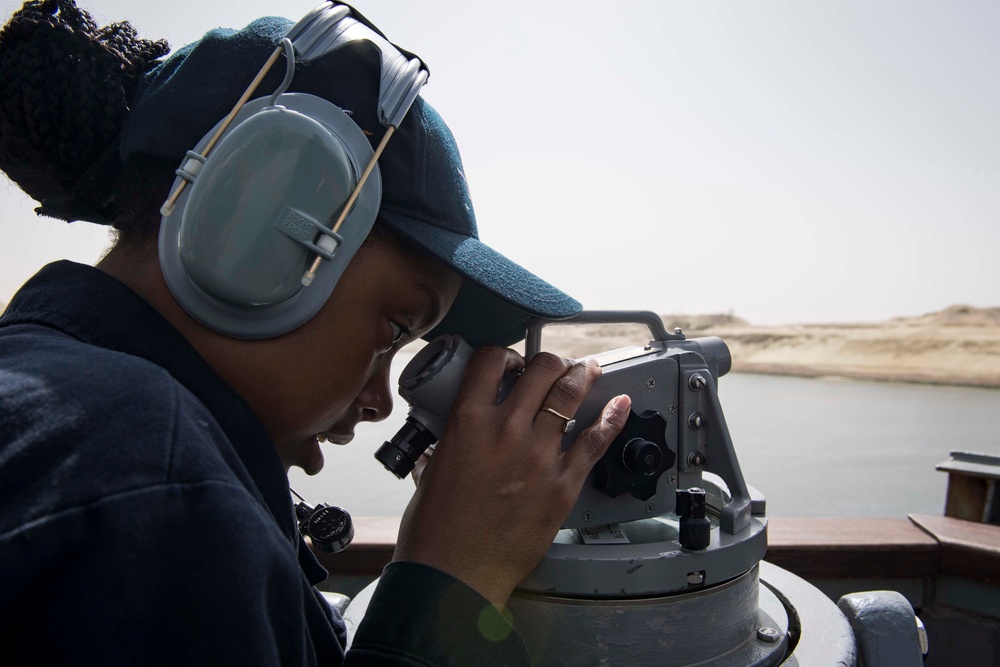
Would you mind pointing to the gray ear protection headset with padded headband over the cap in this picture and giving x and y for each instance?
(269, 208)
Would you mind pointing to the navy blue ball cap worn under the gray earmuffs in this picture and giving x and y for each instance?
(425, 198)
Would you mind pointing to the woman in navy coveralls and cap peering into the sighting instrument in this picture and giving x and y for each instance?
(146, 514)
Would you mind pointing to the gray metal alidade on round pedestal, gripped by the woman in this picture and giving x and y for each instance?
(660, 561)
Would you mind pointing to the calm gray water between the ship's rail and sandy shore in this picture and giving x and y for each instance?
(814, 447)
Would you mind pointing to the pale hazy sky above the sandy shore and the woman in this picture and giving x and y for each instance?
(789, 162)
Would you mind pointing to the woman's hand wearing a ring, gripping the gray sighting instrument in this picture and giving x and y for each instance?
(498, 487)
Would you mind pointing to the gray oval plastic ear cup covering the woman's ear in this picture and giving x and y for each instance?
(242, 235)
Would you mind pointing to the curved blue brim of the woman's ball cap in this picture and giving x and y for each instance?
(498, 296)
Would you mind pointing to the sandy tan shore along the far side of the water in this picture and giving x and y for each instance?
(957, 346)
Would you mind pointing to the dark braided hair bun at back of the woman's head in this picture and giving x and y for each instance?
(65, 88)
